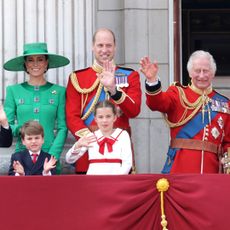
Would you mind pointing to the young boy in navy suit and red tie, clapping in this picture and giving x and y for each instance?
(32, 161)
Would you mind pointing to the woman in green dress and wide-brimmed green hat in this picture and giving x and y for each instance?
(37, 99)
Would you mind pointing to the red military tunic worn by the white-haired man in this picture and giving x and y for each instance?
(217, 132)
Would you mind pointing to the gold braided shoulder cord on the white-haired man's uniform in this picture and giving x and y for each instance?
(195, 106)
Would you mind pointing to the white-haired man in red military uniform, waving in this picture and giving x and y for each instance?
(197, 115)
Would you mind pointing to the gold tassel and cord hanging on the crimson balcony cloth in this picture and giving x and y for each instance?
(162, 186)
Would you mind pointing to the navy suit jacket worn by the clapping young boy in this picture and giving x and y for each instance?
(29, 167)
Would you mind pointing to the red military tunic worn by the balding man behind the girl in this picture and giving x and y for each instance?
(129, 104)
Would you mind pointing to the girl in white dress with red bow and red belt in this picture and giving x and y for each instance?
(109, 149)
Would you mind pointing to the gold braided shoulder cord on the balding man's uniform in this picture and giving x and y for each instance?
(86, 91)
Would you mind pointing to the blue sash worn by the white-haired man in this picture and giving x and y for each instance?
(193, 127)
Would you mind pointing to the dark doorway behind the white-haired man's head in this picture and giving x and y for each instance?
(206, 26)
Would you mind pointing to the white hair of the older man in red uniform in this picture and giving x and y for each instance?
(201, 53)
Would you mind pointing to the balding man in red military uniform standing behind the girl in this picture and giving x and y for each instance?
(103, 80)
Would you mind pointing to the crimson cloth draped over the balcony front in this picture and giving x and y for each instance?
(127, 202)
